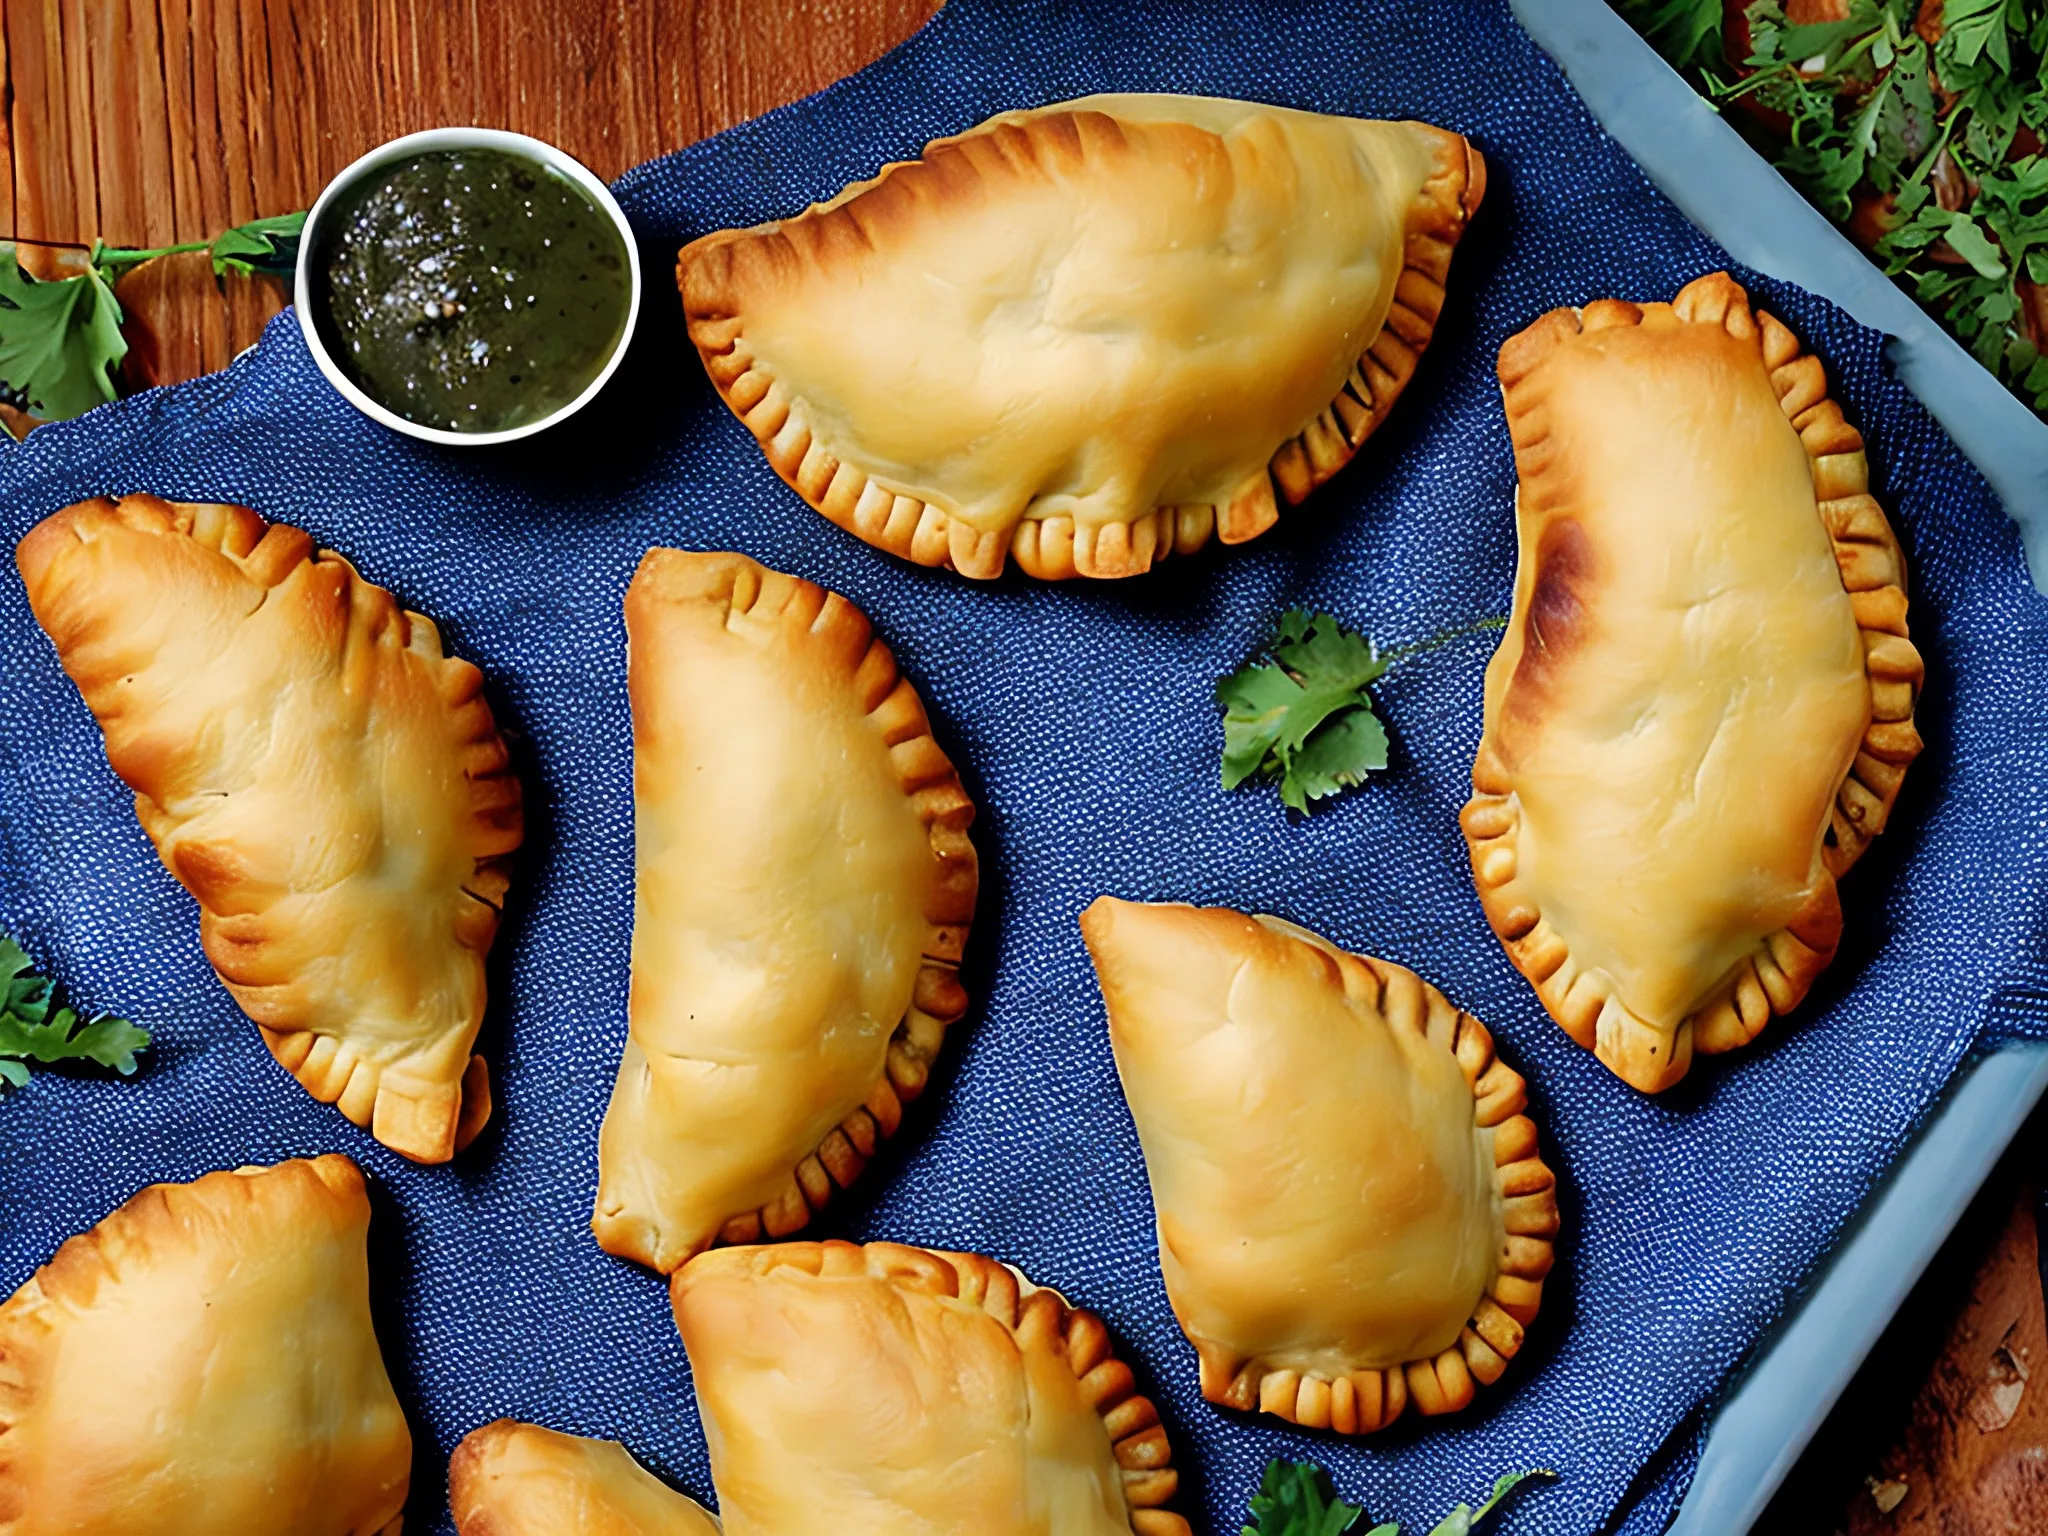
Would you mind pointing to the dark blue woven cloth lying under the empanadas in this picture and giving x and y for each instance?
(1084, 728)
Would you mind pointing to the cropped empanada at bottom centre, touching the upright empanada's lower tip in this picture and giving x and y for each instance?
(884, 1390)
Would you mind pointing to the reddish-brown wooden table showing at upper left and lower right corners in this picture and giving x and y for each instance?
(157, 122)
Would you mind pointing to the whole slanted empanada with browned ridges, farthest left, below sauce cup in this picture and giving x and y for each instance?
(318, 775)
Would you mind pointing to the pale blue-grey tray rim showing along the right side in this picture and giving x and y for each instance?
(1770, 1412)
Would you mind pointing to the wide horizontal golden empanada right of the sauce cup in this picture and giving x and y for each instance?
(1089, 335)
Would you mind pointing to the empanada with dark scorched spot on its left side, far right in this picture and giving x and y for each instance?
(1703, 708)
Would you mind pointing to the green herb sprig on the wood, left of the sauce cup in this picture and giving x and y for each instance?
(60, 339)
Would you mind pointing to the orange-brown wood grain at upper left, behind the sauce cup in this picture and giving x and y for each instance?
(159, 122)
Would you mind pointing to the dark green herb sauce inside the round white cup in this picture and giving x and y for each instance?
(472, 290)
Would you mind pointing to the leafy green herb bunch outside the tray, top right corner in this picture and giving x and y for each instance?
(1916, 126)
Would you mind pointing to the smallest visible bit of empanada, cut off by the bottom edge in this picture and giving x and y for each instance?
(519, 1480)
